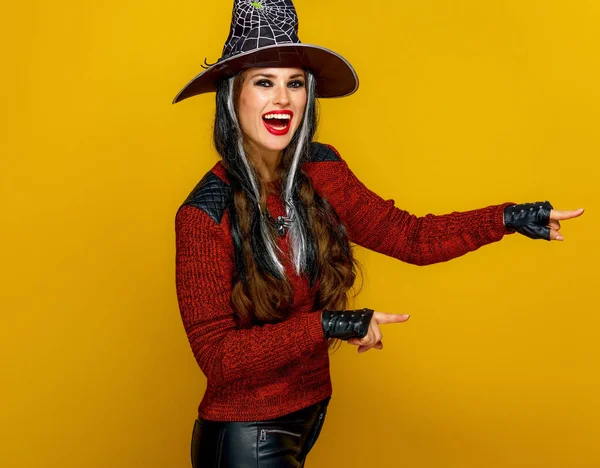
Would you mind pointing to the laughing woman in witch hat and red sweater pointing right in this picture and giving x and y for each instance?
(264, 262)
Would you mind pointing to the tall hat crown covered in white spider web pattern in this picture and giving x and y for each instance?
(261, 23)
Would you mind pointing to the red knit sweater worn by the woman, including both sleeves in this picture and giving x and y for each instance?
(271, 370)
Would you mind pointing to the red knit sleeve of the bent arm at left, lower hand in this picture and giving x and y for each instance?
(223, 351)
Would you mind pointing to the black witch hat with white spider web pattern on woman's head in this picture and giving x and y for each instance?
(264, 33)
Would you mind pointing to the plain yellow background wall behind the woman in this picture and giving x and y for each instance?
(462, 104)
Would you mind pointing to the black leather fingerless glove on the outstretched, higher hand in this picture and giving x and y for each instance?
(529, 219)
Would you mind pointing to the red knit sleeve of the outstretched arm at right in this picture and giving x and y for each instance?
(377, 224)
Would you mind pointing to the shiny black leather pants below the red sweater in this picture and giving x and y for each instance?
(282, 442)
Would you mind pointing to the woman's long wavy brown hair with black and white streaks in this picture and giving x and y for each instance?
(260, 293)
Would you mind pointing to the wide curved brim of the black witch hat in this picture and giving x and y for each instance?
(334, 75)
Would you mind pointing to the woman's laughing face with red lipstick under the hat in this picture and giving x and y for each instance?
(271, 105)
